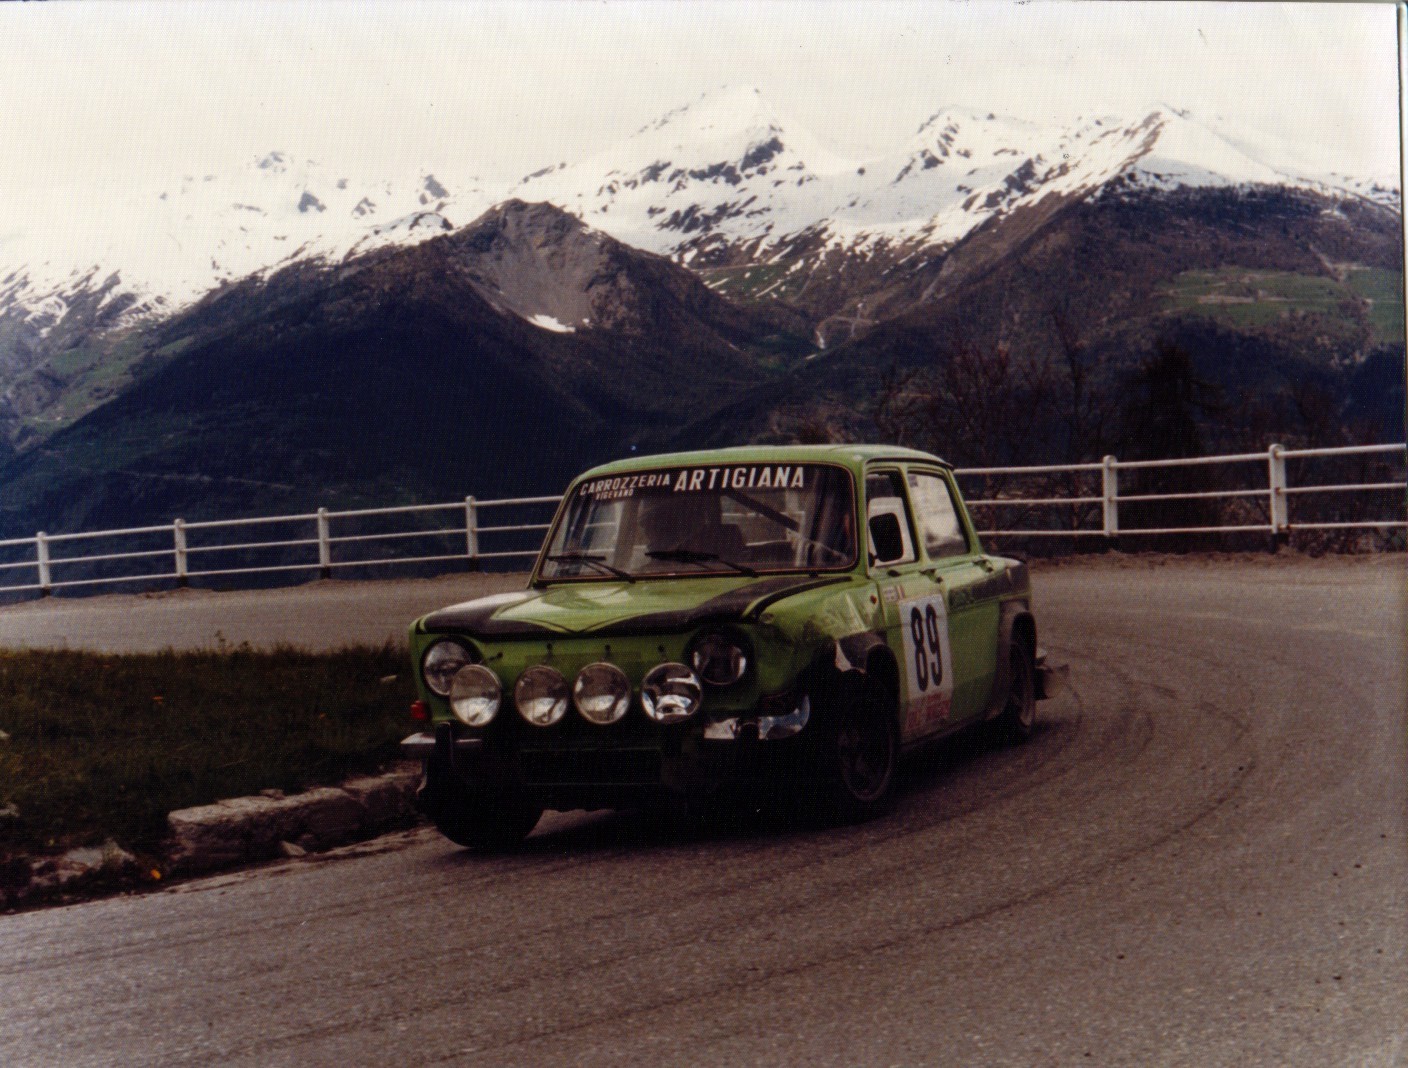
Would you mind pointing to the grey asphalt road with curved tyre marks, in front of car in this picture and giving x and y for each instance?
(1199, 860)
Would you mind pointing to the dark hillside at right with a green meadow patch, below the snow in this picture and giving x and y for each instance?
(1279, 302)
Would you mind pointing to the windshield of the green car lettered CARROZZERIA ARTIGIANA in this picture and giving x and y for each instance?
(747, 519)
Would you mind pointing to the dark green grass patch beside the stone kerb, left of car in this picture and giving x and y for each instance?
(105, 746)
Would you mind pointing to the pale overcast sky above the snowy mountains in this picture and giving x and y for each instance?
(123, 91)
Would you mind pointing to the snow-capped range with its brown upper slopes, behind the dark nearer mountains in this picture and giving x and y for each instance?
(726, 186)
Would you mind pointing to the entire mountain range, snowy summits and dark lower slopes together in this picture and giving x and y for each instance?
(764, 267)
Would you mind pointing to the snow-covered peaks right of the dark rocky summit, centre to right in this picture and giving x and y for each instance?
(726, 181)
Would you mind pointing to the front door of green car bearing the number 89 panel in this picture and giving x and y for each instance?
(913, 606)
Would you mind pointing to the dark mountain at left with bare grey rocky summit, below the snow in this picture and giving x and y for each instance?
(282, 393)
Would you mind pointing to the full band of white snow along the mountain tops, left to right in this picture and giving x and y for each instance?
(723, 181)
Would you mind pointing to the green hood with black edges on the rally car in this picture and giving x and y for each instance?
(620, 609)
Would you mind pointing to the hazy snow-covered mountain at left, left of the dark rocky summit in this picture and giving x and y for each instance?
(163, 247)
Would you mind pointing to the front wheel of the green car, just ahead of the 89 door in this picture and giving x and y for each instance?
(862, 755)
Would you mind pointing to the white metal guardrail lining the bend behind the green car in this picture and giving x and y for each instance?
(1093, 506)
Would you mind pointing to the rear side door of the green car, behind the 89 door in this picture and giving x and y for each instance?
(953, 559)
